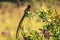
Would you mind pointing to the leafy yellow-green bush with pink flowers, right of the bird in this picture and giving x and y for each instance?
(50, 31)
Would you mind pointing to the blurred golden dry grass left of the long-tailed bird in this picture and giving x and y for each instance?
(10, 16)
